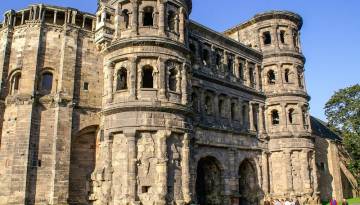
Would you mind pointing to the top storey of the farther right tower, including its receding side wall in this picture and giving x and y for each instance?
(269, 32)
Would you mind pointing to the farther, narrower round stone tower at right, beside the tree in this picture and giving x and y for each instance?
(291, 146)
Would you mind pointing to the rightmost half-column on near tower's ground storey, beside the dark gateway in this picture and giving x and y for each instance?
(185, 169)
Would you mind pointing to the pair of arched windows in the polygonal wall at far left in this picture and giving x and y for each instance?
(44, 86)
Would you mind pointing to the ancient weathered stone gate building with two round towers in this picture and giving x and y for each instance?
(138, 104)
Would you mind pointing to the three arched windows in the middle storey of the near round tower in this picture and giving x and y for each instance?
(147, 81)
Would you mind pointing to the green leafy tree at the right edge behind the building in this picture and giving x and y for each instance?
(343, 114)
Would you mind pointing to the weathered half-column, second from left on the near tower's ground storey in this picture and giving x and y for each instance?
(132, 159)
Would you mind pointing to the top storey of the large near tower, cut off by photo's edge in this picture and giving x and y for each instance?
(123, 19)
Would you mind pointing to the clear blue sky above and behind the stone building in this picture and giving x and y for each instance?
(330, 35)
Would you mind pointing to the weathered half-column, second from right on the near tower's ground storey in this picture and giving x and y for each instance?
(161, 167)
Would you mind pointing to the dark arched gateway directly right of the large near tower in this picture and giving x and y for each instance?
(209, 182)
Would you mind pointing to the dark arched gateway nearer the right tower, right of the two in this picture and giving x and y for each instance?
(248, 184)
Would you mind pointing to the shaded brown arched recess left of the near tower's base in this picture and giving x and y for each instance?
(82, 164)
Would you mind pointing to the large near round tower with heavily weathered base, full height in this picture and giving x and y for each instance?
(144, 149)
